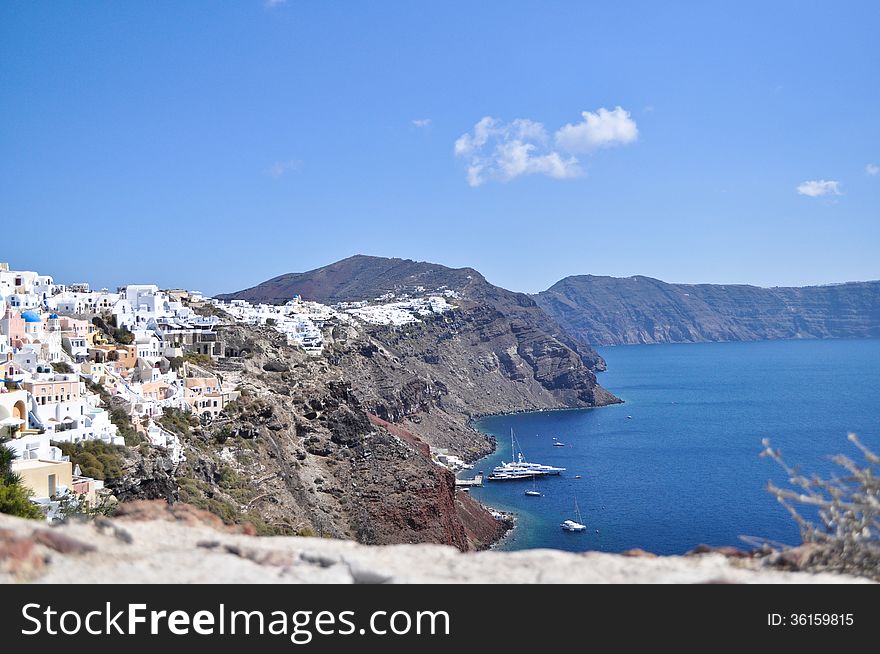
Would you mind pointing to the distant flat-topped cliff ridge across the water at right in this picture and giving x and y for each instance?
(614, 311)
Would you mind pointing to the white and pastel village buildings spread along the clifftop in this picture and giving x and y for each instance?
(66, 350)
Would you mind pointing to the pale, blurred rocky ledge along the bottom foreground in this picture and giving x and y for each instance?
(150, 542)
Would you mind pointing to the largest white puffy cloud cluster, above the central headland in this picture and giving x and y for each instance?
(500, 151)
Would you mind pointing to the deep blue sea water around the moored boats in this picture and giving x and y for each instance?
(685, 469)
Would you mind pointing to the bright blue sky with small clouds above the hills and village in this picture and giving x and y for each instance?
(216, 144)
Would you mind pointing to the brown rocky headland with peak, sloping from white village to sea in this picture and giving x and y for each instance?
(341, 444)
